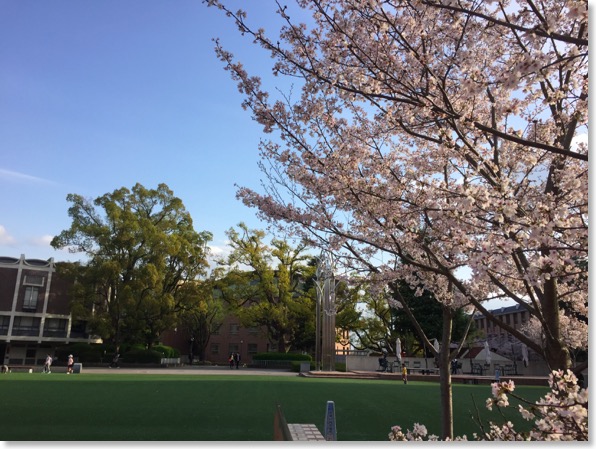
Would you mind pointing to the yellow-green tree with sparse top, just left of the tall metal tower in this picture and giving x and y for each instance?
(266, 285)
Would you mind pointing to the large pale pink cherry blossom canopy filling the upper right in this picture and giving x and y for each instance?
(438, 134)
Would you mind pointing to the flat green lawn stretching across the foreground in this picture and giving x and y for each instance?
(130, 407)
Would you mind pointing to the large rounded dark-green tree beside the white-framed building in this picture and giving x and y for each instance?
(143, 253)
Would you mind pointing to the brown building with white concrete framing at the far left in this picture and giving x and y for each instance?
(34, 312)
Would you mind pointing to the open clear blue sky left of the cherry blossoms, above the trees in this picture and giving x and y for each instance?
(99, 95)
